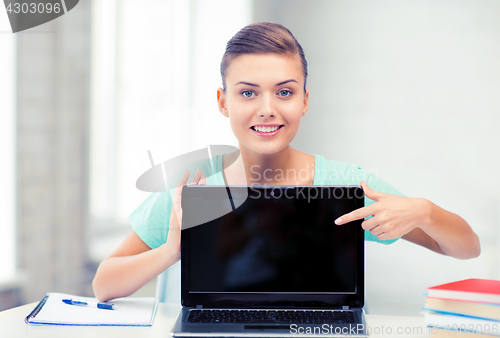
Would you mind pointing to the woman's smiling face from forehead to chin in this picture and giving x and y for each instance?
(264, 100)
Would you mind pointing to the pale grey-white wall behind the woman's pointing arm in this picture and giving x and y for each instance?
(409, 89)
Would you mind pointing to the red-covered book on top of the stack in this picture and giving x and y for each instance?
(469, 290)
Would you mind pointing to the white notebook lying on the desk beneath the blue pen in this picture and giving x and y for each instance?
(130, 311)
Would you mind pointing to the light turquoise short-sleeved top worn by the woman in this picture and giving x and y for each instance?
(150, 220)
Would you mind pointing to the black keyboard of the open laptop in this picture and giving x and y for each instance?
(271, 316)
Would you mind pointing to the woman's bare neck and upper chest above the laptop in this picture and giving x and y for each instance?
(288, 167)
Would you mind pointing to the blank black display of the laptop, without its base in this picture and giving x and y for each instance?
(272, 245)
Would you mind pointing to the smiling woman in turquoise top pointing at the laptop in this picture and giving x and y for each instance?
(265, 98)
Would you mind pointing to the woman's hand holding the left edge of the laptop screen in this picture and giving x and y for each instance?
(173, 244)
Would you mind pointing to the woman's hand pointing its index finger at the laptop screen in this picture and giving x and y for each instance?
(393, 216)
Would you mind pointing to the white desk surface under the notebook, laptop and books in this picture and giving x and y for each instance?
(12, 325)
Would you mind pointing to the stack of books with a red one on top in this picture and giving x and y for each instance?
(464, 309)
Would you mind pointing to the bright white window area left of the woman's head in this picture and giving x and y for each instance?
(155, 77)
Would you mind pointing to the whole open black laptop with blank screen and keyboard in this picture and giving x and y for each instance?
(268, 261)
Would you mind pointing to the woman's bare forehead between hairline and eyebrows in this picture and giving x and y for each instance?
(265, 67)
